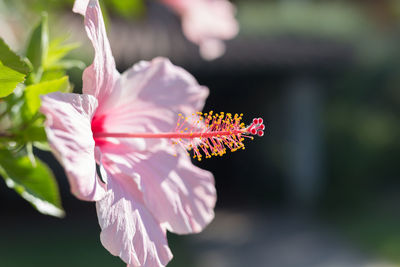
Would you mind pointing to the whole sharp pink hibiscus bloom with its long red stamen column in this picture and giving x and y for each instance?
(125, 123)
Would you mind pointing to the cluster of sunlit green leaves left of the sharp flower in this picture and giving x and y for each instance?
(21, 123)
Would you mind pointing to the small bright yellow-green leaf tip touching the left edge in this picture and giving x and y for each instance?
(9, 79)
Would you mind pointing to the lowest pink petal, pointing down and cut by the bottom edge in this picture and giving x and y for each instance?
(128, 229)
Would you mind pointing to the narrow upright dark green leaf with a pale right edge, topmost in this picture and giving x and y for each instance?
(39, 44)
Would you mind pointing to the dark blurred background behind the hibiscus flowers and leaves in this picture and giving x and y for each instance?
(321, 187)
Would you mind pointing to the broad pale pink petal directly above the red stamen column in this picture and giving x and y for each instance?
(149, 96)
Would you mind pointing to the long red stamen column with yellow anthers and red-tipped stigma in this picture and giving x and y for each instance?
(206, 134)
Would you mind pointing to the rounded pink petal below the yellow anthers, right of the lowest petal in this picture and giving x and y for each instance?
(180, 195)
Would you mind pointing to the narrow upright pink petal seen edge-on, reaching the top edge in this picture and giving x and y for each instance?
(99, 78)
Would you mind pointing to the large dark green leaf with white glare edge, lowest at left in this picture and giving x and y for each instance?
(36, 184)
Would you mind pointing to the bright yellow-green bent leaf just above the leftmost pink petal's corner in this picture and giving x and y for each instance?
(32, 92)
